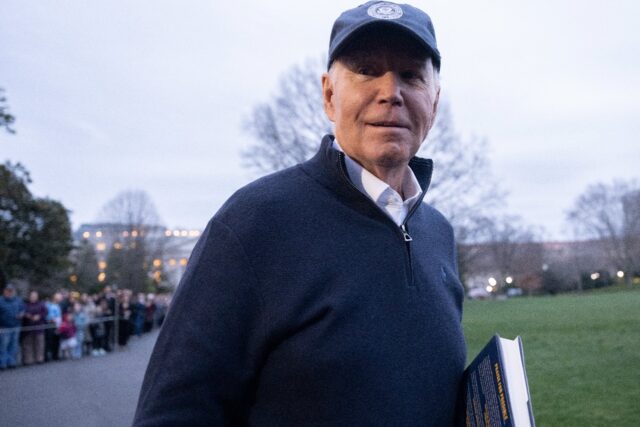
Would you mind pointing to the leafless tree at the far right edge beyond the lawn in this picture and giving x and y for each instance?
(611, 214)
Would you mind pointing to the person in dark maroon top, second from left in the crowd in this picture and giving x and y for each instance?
(34, 320)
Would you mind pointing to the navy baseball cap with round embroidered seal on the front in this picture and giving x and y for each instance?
(404, 17)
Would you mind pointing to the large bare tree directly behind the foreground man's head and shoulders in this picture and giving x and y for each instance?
(288, 129)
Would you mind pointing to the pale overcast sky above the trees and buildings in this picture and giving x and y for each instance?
(114, 95)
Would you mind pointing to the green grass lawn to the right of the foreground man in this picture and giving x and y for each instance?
(582, 353)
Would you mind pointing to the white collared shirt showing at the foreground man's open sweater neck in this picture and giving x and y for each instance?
(380, 192)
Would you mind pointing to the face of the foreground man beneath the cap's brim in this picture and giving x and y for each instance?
(382, 95)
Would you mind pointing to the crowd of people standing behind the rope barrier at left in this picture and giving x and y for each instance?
(71, 325)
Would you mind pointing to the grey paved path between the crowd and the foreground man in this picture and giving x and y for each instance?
(93, 391)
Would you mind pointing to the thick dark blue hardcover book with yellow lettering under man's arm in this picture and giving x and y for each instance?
(495, 390)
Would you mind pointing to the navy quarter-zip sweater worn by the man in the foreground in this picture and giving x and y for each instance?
(303, 305)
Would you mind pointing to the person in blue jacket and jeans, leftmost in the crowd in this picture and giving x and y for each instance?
(11, 312)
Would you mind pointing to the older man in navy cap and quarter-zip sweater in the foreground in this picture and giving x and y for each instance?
(327, 294)
